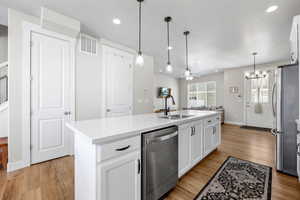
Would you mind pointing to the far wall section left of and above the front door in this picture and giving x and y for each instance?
(233, 104)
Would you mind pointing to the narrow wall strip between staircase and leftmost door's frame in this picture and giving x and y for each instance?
(15, 43)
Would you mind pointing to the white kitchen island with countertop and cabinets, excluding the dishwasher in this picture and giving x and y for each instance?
(108, 150)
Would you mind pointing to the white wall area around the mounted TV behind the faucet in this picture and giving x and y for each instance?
(161, 80)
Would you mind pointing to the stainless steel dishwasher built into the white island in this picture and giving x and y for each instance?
(159, 162)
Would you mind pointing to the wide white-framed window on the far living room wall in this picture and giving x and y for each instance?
(202, 94)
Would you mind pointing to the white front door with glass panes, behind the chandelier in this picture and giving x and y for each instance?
(259, 91)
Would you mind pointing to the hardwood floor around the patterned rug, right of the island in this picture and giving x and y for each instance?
(255, 146)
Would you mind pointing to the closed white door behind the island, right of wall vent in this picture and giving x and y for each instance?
(119, 82)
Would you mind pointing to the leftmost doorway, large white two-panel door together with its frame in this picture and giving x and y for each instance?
(49, 93)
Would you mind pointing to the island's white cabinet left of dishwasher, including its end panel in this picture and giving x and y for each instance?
(109, 171)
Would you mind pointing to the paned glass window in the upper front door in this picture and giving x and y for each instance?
(260, 90)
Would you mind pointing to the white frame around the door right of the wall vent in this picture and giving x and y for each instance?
(106, 45)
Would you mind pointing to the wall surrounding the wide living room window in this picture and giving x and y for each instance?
(217, 77)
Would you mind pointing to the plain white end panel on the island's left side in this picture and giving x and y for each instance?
(85, 169)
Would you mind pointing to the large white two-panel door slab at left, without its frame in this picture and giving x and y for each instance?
(50, 97)
